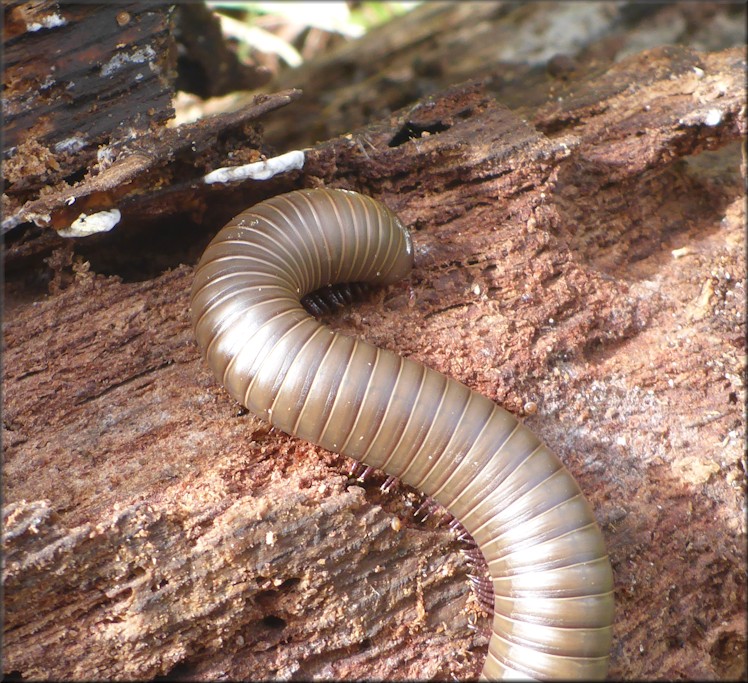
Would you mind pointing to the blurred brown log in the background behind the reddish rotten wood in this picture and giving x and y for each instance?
(523, 52)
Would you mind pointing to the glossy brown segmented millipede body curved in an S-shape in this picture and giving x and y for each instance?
(552, 581)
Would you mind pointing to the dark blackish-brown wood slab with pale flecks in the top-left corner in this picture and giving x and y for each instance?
(77, 77)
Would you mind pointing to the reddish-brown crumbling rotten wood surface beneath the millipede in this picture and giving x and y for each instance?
(581, 261)
